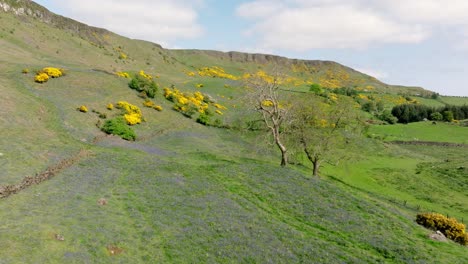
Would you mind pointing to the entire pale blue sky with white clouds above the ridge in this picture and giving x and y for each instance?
(412, 43)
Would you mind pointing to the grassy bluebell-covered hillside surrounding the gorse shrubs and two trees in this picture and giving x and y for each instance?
(188, 193)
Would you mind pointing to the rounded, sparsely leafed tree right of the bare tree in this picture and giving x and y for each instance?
(323, 131)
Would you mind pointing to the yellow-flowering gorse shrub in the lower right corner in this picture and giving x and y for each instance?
(450, 227)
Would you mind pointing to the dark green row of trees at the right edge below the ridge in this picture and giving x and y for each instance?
(407, 113)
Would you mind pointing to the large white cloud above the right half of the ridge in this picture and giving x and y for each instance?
(302, 25)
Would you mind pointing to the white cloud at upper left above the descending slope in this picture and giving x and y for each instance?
(161, 21)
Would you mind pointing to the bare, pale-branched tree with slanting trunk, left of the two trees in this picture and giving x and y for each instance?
(265, 98)
